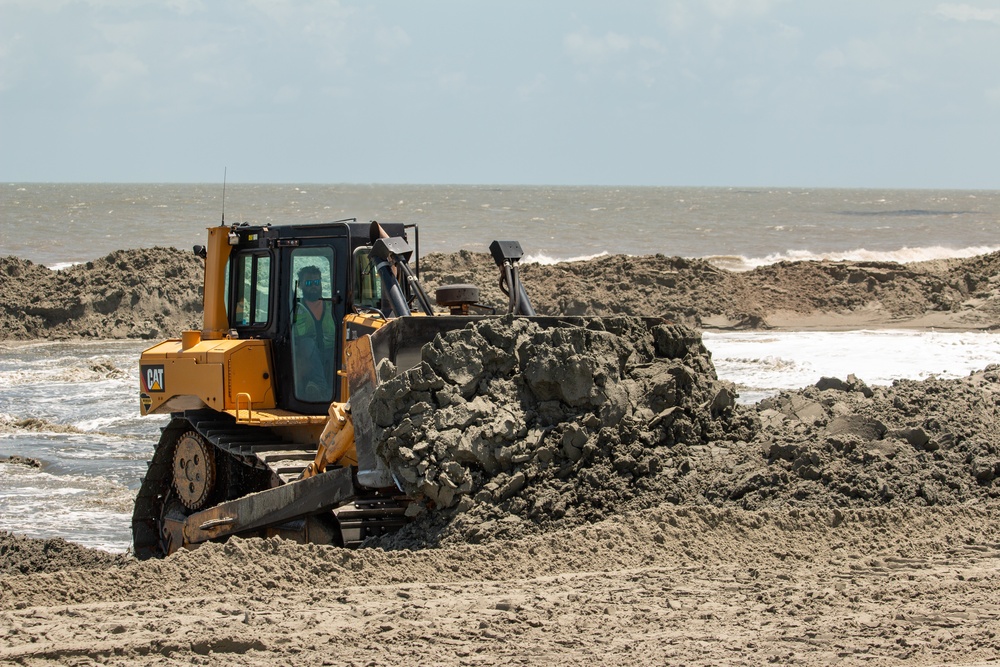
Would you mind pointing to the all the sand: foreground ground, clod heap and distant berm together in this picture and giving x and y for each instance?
(656, 522)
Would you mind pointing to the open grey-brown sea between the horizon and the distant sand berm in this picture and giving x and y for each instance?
(55, 223)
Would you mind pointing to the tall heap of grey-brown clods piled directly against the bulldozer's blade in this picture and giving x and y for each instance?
(507, 427)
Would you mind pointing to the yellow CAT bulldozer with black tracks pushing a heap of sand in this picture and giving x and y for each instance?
(268, 433)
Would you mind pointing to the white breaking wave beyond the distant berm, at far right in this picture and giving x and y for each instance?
(905, 255)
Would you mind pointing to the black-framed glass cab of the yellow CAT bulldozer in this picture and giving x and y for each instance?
(293, 285)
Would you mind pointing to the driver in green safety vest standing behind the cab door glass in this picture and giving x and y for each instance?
(315, 333)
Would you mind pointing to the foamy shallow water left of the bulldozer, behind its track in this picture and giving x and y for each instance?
(72, 407)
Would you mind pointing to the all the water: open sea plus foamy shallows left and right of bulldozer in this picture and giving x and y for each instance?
(73, 406)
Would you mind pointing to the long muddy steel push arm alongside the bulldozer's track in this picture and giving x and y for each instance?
(271, 507)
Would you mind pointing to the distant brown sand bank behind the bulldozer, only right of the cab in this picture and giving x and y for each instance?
(815, 294)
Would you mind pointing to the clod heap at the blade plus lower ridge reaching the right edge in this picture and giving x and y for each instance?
(507, 429)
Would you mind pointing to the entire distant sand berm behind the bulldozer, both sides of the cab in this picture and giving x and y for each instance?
(156, 293)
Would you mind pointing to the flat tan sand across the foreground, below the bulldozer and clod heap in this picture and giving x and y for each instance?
(700, 586)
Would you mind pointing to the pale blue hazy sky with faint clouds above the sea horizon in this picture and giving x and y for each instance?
(755, 93)
